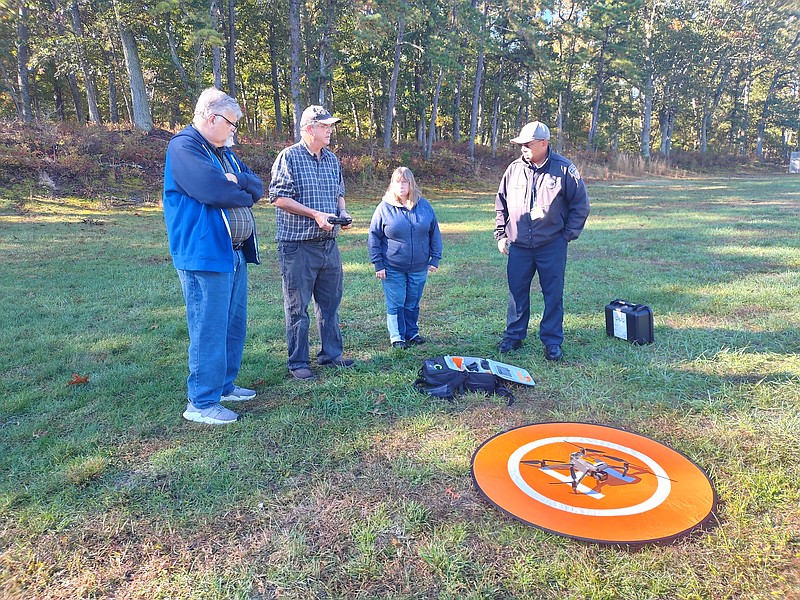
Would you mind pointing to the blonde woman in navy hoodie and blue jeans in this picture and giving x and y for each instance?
(404, 245)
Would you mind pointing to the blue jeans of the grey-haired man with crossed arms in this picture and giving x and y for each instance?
(216, 313)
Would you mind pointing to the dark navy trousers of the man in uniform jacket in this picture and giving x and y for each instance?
(550, 261)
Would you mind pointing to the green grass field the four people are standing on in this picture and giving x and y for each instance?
(356, 486)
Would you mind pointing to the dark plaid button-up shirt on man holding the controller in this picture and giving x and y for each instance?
(317, 184)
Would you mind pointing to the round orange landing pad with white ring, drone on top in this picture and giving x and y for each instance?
(634, 490)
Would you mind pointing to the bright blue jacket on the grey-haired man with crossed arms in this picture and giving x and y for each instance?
(196, 194)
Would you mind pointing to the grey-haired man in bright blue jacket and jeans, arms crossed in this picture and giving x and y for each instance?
(208, 193)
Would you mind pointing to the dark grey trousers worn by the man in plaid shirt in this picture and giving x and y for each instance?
(311, 270)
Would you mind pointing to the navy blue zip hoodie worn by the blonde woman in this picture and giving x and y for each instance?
(406, 240)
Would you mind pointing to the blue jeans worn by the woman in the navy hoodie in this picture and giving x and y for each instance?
(403, 292)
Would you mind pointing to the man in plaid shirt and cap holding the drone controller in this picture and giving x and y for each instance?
(306, 189)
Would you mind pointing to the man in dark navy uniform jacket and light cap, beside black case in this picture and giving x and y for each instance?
(541, 206)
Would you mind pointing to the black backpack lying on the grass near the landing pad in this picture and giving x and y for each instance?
(438, 379)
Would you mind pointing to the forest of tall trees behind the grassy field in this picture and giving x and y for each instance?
(692, 83)
